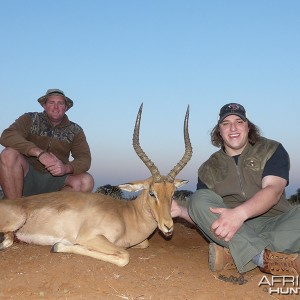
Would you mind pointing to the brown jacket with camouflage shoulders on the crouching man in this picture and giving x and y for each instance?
(34, 129)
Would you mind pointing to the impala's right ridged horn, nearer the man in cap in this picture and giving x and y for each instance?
(188, 149)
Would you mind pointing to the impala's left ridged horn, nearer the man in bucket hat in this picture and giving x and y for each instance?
(139, 151)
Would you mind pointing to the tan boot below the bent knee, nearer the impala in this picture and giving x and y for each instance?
(220, 258)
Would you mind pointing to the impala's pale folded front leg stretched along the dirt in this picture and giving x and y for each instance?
(99, 248)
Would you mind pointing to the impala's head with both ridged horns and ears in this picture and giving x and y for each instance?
(159, 190)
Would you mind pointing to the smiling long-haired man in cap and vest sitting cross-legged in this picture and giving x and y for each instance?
(240, 203)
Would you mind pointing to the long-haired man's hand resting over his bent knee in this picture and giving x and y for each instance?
(228, 223)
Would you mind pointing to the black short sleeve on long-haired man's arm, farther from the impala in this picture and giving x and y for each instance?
(278, 164)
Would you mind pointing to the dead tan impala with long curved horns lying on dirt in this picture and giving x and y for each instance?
(94, 224)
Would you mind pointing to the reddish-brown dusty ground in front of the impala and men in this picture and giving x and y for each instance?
(168, 269)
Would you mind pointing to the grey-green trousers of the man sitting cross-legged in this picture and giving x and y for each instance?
(280, 233)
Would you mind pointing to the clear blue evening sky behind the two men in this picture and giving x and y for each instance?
(111, 56)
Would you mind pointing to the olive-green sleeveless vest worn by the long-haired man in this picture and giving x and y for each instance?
(236, 183)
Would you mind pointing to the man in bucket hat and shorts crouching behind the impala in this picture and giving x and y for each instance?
(37, 149)
